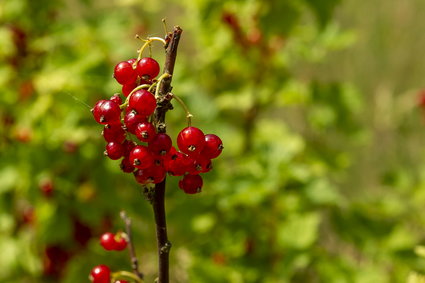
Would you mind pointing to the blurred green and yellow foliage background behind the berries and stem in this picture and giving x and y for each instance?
(319, 107)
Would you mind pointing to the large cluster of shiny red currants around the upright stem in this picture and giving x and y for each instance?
(153, 156)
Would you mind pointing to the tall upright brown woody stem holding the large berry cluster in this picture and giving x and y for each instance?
(158, 201)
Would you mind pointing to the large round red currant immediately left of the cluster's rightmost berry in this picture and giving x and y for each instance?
(191, 141)
